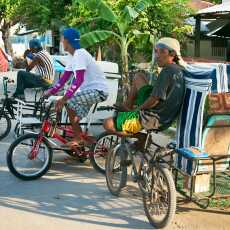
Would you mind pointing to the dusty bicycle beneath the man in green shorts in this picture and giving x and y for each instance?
(152, 173)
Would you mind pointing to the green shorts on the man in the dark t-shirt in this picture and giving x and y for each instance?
(142, 94)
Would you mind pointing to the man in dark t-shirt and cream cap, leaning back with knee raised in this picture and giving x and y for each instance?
(159, 104)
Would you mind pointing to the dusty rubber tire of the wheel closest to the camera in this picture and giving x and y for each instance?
(171, 200)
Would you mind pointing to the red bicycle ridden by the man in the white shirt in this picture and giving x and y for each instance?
(30, 156)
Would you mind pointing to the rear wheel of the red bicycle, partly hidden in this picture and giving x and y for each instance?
(105, 142)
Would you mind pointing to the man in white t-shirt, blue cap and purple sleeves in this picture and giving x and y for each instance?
(88, 87)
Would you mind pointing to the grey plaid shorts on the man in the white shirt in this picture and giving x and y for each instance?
(82, 101)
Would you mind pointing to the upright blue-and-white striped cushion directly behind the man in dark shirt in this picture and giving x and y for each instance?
(190, 122)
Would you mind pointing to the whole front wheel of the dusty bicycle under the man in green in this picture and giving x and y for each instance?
(116, 170)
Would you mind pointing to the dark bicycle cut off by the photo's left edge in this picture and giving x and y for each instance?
(12, 109)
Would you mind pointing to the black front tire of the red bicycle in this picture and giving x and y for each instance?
(10, 155)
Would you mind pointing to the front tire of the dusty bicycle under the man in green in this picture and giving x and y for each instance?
(117, 151)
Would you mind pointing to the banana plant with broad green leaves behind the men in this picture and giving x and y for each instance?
(120, 28)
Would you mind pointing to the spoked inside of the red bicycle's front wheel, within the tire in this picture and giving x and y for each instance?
(30, 157)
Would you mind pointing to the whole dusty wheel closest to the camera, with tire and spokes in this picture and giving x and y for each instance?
(160, 202)
